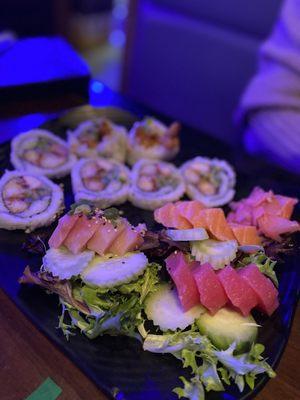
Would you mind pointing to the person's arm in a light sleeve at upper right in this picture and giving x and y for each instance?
(270, 106)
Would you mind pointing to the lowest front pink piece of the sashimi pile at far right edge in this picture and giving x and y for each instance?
(272, 226)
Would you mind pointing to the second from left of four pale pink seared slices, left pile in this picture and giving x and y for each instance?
(81, 233)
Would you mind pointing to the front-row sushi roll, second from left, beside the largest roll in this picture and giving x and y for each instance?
(100, 181)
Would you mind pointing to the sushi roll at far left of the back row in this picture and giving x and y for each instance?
(41, 152)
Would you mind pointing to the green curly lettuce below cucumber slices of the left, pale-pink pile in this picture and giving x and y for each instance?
(115, 310)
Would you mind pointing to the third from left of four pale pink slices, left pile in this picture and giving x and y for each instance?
(105, 235)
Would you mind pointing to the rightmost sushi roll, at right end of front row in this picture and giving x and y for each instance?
(210, 181)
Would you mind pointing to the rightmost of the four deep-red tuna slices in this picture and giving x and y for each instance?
(265, 291)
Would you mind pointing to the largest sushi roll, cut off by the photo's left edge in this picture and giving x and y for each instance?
(28, 201)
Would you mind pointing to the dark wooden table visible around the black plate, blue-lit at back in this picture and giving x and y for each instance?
(27, 357)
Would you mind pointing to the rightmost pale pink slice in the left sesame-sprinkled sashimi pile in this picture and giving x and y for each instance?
(130, 239)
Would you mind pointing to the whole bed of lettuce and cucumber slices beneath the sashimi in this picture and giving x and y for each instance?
(128, 295)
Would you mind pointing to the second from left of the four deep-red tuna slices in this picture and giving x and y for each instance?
(212, 294)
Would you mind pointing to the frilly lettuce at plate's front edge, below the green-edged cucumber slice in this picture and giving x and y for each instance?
(210, 367)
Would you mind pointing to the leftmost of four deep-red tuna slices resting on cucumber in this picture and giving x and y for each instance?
(181, 273)
